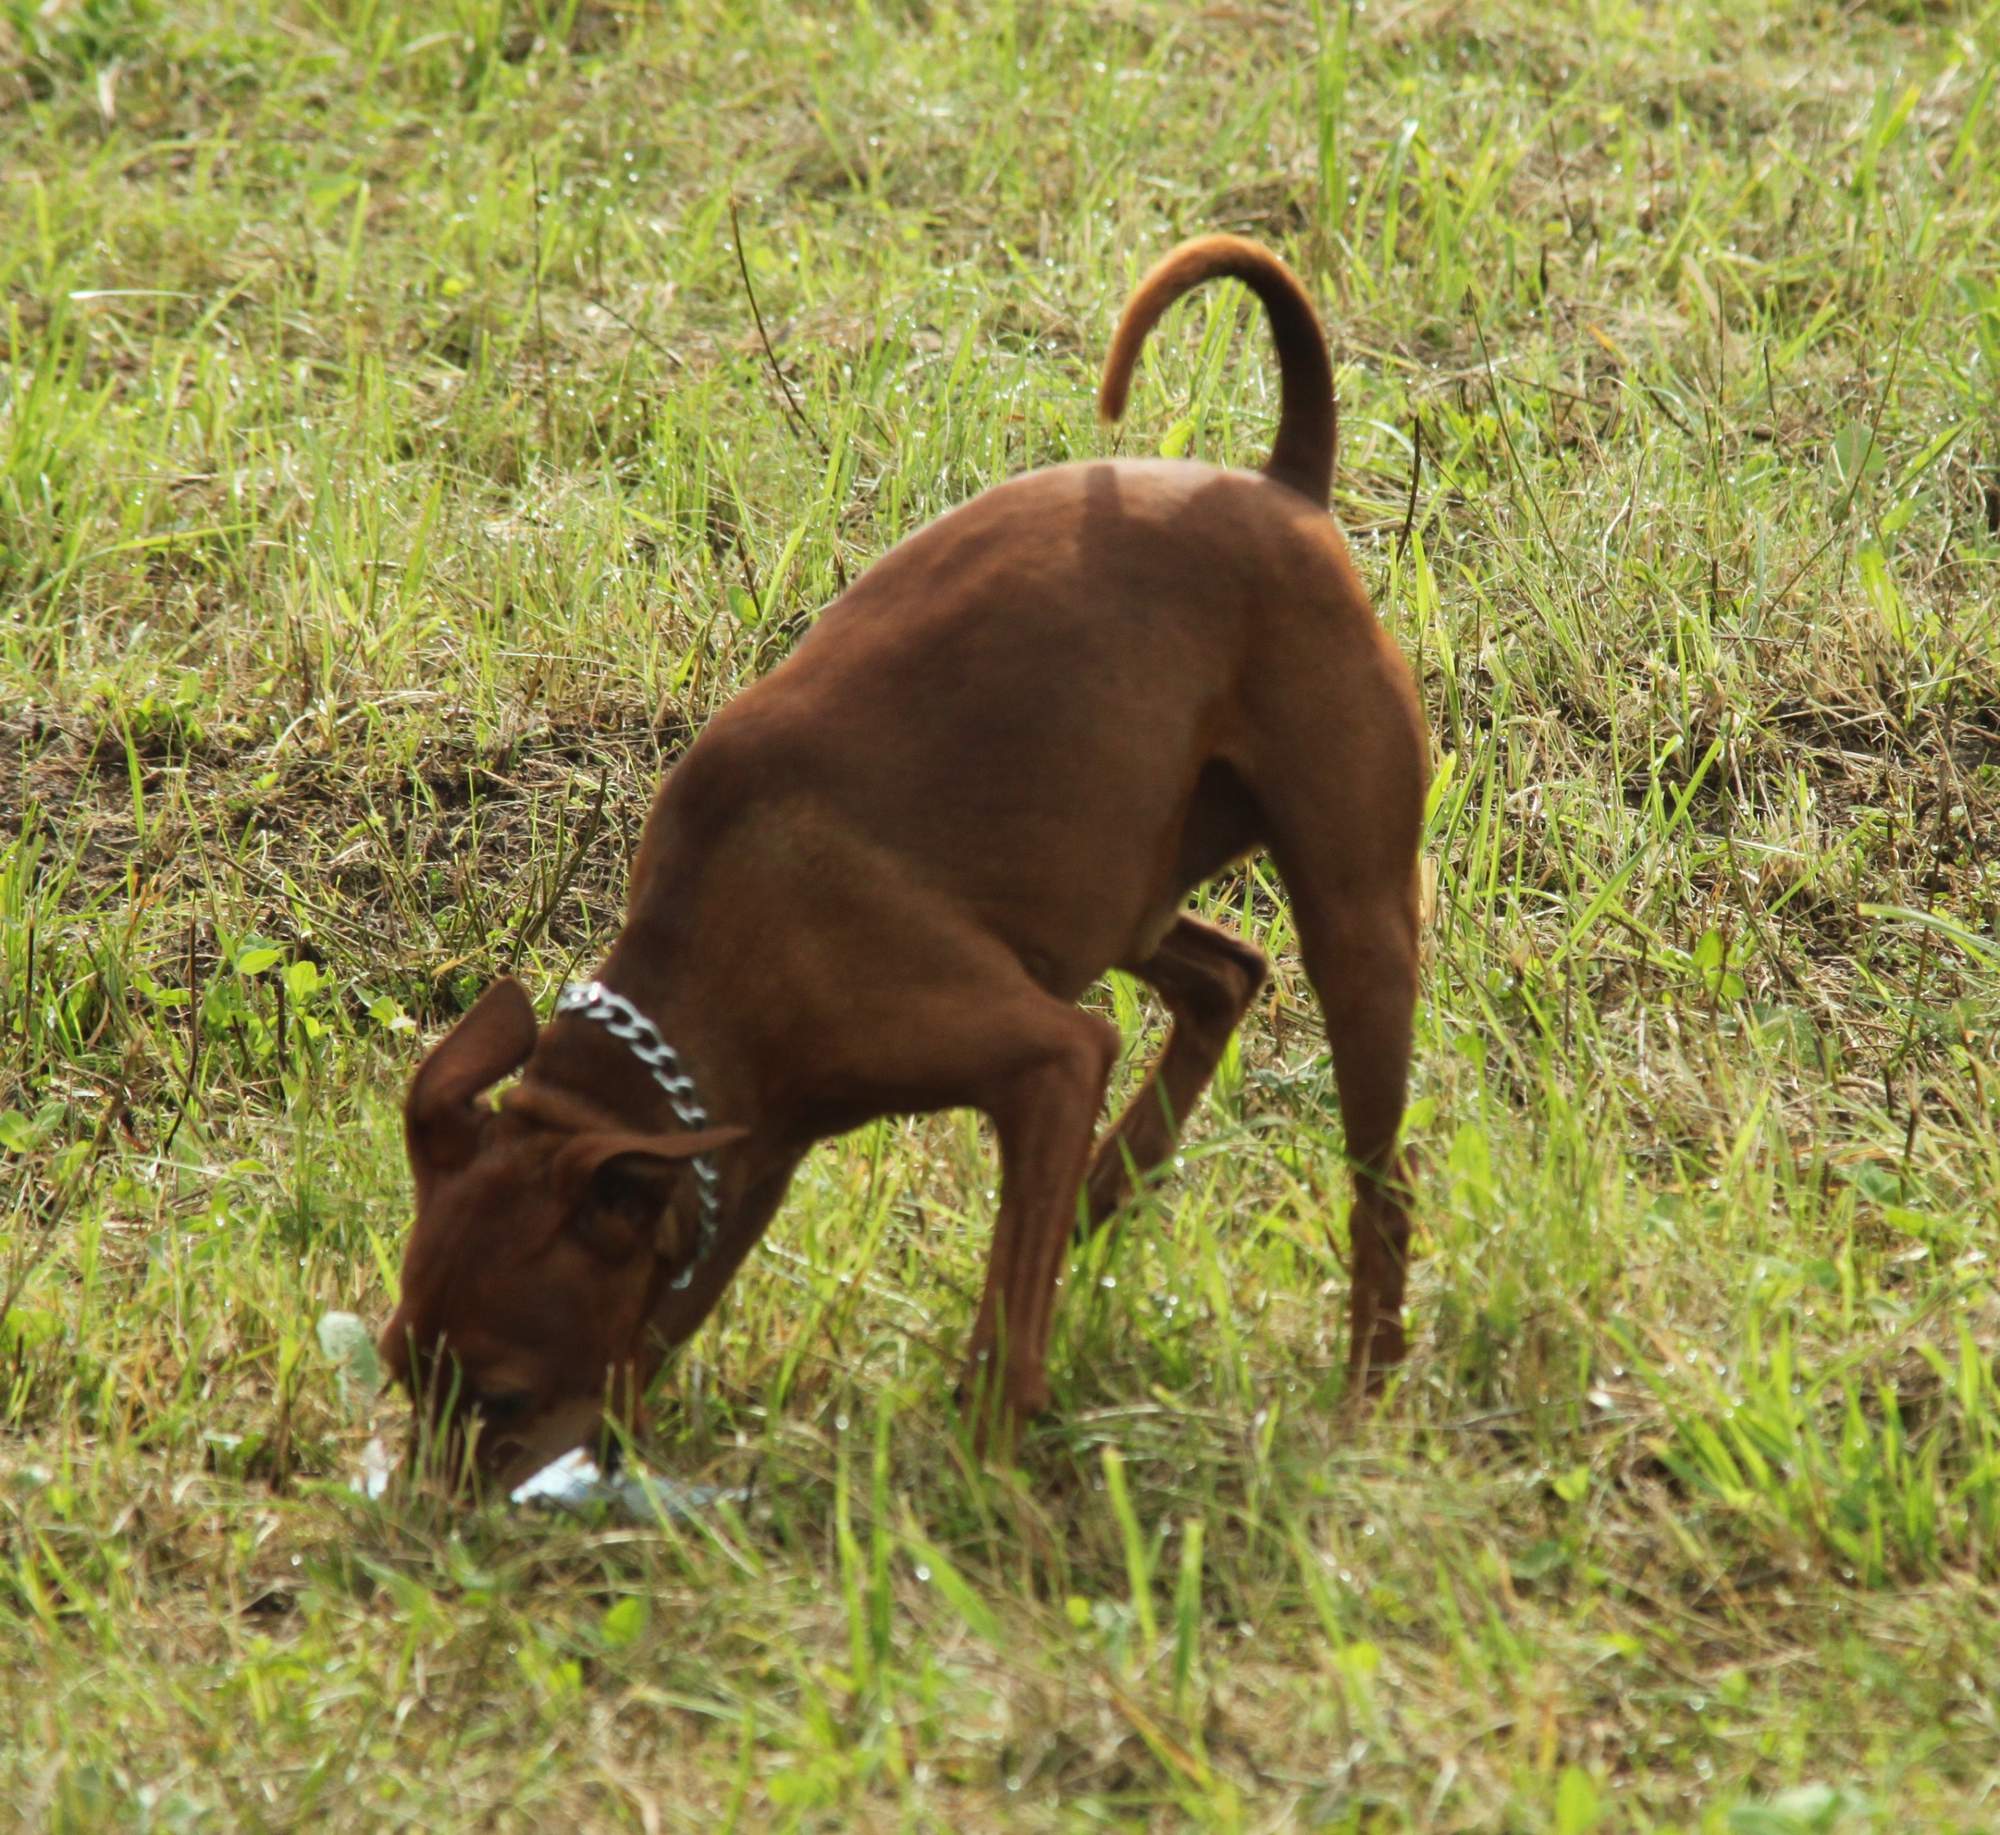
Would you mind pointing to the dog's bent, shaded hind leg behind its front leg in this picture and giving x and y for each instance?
(1207, 980)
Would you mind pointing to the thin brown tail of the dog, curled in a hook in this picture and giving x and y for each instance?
(1309, 423)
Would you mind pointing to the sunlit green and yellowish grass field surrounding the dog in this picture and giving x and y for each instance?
(393, 481)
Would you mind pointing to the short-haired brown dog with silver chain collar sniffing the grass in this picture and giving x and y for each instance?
(879, 883)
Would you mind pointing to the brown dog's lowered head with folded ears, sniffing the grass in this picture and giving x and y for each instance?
(543, 1242)
